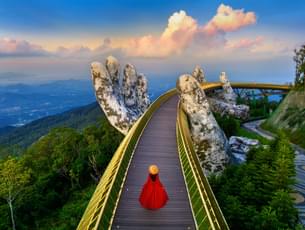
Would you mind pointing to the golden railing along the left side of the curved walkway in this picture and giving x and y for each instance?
(100, 211)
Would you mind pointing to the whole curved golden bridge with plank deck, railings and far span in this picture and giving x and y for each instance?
(160, 136)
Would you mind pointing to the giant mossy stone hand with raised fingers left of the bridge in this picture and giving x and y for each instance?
(122, 105)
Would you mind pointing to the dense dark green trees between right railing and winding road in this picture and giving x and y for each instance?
(255, 195)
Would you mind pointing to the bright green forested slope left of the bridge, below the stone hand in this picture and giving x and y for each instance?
(49, 185)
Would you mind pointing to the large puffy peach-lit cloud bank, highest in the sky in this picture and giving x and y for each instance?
(183, 31)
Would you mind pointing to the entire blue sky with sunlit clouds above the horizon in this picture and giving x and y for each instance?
(46, 40)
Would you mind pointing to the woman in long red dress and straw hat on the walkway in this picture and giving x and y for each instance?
(153, 195)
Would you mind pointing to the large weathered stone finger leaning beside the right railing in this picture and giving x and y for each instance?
(209, 140)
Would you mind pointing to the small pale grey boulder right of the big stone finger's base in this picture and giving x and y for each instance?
(240, 146)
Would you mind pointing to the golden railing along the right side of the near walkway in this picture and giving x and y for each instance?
(206, 211)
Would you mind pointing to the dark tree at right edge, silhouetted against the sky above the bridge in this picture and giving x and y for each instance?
(299, 59)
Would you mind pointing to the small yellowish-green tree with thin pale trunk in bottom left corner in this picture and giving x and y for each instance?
(13, 179)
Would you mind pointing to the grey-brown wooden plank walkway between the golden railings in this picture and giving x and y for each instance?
(156, 146)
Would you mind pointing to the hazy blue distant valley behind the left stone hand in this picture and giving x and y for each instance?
(21, 103)
